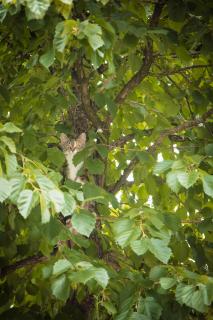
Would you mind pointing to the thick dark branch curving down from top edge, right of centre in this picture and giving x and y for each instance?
(147, 61)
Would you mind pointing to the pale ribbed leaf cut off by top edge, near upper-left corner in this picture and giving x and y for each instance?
(37, 8)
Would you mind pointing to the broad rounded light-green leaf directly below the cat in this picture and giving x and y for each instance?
(83, 222)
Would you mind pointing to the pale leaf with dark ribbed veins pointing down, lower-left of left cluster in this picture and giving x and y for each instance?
(25, 202)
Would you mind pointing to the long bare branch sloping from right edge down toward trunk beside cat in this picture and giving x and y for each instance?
(167, 133)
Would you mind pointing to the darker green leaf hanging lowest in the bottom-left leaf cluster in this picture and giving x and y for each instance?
(61, 288)
